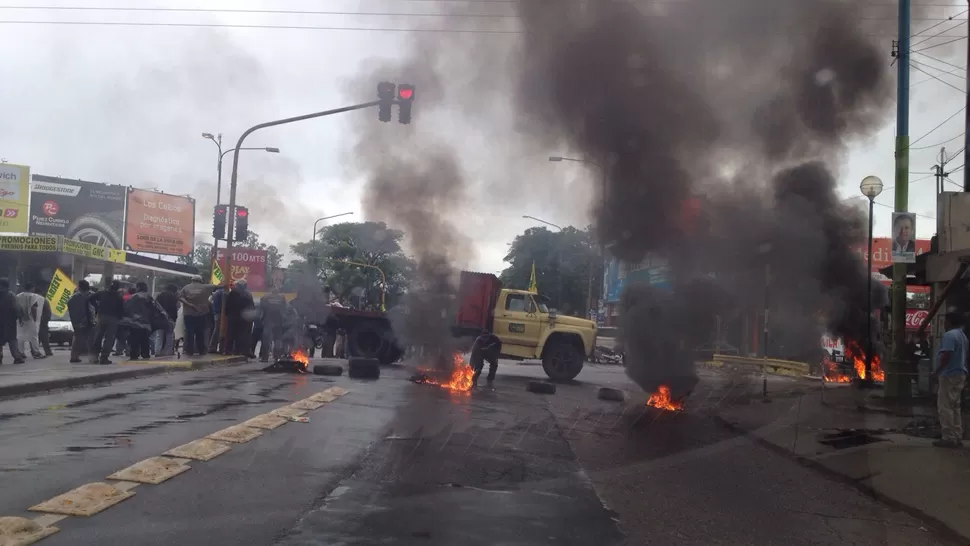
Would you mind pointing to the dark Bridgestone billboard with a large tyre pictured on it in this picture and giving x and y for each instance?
(75, 209)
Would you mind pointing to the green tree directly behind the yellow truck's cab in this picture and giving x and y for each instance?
(564, 261)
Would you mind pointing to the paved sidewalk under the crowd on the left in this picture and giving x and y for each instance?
(55, 372)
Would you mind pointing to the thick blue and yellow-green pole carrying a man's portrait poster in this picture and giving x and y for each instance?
(894, 384)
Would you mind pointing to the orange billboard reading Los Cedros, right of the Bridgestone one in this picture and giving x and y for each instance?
(160, 223)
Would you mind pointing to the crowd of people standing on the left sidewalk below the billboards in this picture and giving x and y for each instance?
(119, 321)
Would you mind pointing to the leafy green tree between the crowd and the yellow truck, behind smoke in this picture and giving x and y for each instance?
(369, 243)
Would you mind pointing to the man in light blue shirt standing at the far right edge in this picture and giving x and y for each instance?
(951, 372)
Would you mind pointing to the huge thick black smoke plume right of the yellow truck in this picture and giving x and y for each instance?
(745, 105)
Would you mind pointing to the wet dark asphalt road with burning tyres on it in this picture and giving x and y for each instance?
(398, 463)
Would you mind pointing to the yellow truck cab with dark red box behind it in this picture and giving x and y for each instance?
(526, 327)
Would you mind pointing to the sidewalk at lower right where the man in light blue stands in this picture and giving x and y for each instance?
(885, 454)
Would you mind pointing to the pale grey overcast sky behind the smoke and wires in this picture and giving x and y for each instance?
(127, 104)
